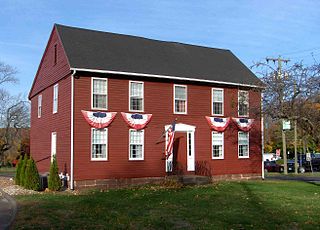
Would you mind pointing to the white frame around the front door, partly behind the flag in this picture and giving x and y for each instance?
(189, 130)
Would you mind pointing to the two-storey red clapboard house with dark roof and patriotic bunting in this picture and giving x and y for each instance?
(106, 105)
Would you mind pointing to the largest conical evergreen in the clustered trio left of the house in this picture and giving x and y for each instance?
(32, 179)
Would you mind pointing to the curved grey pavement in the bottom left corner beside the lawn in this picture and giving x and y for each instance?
(8, 210)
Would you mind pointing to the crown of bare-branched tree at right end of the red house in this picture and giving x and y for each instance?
(295, 95)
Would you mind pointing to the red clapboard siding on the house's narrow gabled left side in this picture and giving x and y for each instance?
(40, 133)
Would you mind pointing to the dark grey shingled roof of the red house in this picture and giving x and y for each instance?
(89, 49)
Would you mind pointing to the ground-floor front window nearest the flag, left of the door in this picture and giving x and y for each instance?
(136, 144)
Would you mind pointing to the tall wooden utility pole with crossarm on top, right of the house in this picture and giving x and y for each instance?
(279, 60)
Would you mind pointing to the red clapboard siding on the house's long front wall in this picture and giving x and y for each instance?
(158, 100)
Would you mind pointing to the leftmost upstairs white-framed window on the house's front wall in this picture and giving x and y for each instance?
(99, 93)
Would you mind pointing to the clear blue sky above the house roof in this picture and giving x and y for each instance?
(251, 29)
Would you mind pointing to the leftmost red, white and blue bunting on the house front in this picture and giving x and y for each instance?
(98, 120)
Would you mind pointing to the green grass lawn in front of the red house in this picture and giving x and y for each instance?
(225, 205)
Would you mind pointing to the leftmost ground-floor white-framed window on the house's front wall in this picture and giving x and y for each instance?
(99, 144)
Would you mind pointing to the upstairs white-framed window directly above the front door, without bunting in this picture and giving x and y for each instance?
(180, 99)
